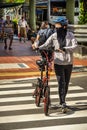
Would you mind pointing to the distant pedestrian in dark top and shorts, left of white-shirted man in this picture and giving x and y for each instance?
(8, 32)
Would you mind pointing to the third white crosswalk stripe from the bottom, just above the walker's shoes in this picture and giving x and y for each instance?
(33, 106)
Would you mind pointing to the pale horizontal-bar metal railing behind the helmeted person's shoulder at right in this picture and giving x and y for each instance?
(80, 33)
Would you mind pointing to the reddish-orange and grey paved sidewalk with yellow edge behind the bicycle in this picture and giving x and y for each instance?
(20, 62)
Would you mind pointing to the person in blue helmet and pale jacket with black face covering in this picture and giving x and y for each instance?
(64, 44)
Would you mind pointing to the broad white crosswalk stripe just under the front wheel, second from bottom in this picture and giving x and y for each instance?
(39, 117)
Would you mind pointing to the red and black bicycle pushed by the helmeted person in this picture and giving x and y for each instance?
(42, 89)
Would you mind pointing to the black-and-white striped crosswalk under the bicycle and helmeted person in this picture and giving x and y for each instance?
(19, 112)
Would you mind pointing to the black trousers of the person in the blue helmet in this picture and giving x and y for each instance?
(63, 73)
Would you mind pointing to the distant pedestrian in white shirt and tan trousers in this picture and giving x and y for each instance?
(23, 26)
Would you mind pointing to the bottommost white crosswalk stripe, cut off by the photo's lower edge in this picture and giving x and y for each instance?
(60, 127)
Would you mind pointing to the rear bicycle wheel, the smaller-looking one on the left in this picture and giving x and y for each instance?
(38, 96)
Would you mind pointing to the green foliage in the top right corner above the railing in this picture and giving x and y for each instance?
(83, 14)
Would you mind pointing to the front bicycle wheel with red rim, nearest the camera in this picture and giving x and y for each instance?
(46, 100)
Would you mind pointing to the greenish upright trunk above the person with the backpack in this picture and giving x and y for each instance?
(32, 14)
